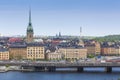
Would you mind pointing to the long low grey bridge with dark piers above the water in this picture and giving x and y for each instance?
(52, 66)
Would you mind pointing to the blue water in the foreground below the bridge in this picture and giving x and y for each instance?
(87, 75)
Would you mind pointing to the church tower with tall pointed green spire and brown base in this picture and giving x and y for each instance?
(30, 31)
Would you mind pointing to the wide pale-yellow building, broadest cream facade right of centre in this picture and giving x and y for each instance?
(73, 53)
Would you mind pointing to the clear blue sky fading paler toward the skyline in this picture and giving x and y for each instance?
(49, 17)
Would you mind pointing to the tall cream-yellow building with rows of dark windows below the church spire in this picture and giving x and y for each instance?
(35, 51)
